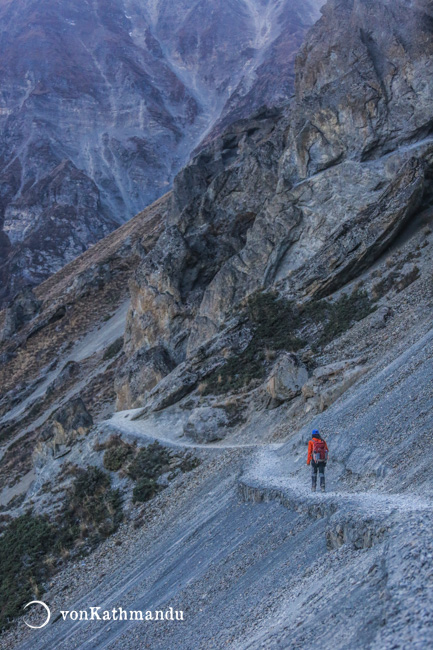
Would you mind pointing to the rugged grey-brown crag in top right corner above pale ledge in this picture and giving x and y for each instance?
(361, 85)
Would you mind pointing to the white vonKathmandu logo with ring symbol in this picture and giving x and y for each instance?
(115, 614)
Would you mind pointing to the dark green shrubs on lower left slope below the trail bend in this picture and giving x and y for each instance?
(31, 548)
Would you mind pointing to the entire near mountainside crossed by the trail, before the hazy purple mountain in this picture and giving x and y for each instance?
(285, 284)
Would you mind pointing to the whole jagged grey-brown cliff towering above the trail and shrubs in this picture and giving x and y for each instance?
(302, 200)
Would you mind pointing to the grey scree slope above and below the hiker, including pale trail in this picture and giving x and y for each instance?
(249, 573)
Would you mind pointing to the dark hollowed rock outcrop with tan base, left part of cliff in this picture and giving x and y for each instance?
(216, 198)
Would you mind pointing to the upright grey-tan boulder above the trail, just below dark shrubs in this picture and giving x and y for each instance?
(287, 377)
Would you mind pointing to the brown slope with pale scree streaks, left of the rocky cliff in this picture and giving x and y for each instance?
(65, 340)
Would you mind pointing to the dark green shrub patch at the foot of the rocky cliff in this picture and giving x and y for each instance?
(281, 324)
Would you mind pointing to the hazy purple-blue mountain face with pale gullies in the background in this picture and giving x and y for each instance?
(102, 102)
